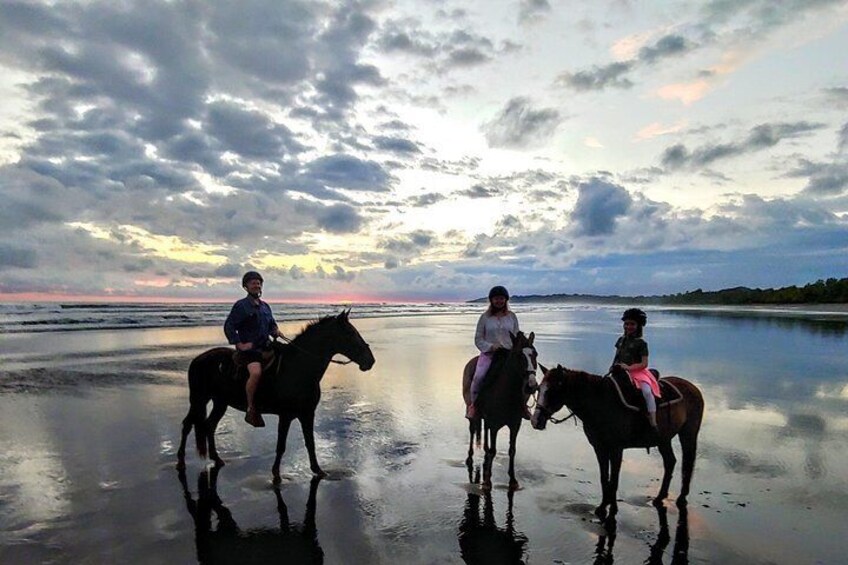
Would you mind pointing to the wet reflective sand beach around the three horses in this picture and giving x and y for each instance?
(90, 422)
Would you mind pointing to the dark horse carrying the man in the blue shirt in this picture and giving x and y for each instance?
(290, 387)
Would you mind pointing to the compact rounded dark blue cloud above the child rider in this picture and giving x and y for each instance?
(599, 205)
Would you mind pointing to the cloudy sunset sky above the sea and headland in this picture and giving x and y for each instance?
(421, 150)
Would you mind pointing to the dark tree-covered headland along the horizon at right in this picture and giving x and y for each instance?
(830, 291)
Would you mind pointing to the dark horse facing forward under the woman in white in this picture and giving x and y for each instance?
(501, 402)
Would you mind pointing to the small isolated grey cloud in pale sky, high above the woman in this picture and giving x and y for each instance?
(520, 125)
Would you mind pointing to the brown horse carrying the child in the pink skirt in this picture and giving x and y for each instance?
(611, 427)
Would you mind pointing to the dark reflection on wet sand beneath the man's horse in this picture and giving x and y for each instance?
(227, 543)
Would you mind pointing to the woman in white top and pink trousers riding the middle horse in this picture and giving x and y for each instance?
(493, 333)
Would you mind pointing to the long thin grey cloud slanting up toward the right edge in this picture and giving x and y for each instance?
(759, 137)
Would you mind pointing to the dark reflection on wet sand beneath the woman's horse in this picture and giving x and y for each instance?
(481, 540)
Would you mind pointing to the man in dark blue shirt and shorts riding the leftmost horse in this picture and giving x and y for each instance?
(248, 327)
